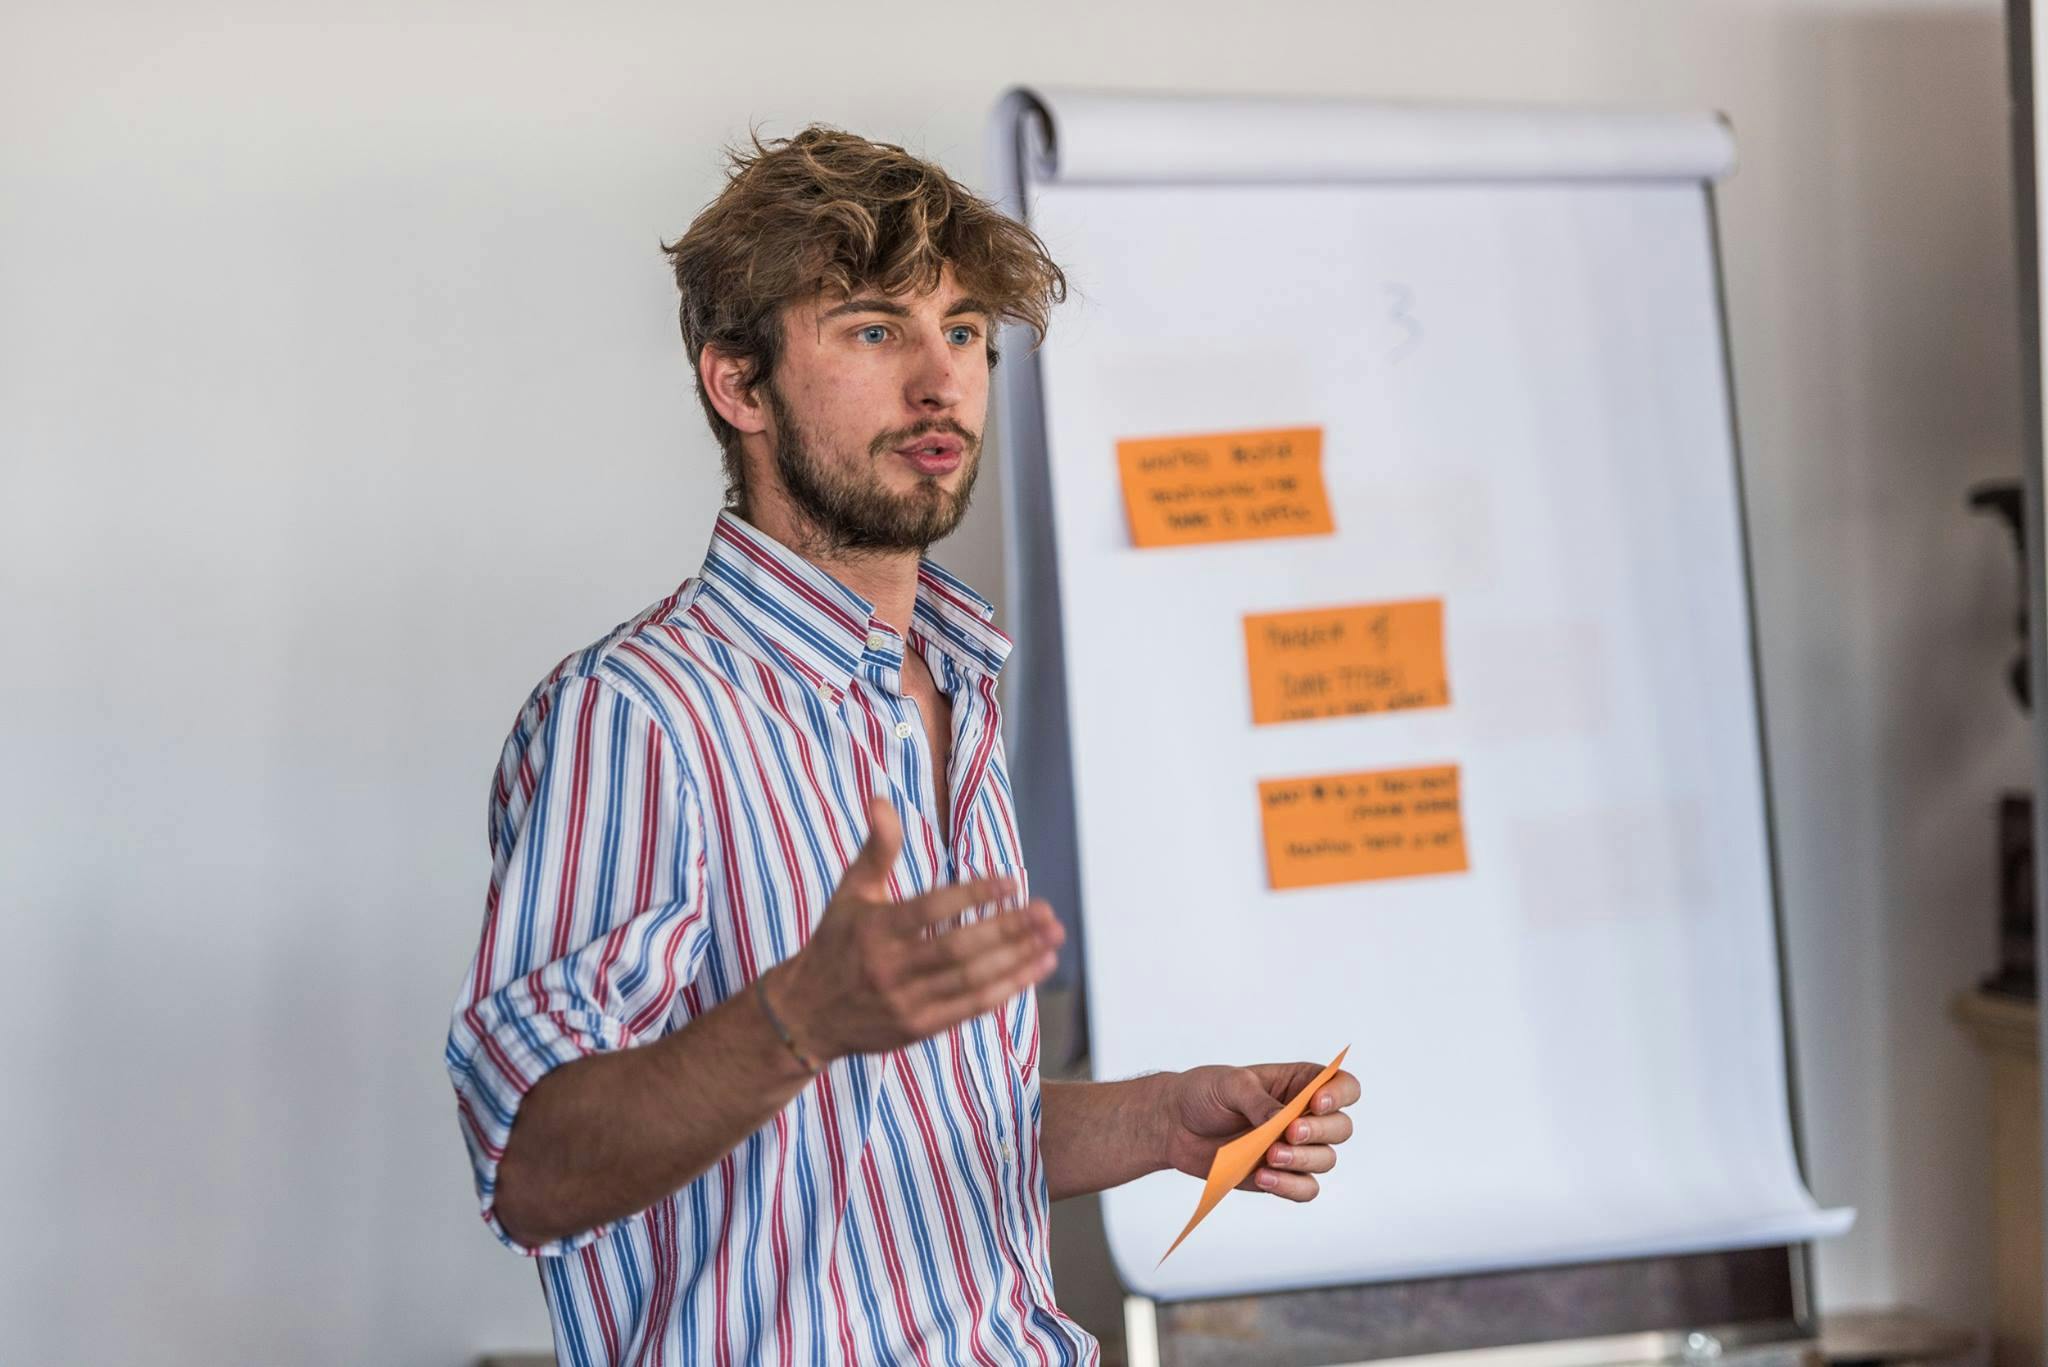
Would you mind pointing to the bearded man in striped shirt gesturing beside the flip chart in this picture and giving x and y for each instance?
(749, 1054)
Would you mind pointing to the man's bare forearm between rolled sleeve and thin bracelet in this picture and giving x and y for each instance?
(611, 1134)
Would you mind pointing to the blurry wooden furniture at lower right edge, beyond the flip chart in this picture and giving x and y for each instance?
(2008, 1032)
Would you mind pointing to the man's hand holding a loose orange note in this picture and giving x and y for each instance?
(1205, 1108)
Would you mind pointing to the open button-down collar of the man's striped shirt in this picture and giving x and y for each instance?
(824, 628)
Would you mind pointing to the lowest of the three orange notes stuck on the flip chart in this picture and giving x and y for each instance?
(1359, 827)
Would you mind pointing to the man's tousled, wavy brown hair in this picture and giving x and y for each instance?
(835, 212)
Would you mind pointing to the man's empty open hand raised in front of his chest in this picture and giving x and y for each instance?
(880, 975)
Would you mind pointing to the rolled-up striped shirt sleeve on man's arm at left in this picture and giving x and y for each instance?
(593, 921)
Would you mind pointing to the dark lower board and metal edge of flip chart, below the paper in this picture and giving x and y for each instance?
(1725, 1309)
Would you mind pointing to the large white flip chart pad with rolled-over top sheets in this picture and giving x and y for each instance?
(1506, 329)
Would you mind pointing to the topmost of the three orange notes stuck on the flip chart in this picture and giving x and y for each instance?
(1226, 487)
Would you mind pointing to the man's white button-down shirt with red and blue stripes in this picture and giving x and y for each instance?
(669, 819)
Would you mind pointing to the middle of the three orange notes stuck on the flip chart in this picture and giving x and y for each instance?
(1347, 661)
